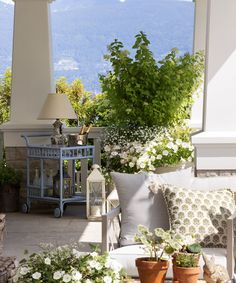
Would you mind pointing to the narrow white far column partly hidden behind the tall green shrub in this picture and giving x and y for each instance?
(199, 44)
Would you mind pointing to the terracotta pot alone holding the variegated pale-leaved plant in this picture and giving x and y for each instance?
(151, 271)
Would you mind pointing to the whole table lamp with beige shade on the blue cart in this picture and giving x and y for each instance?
(57, 106)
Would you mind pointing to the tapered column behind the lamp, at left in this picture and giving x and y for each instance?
(32, 69)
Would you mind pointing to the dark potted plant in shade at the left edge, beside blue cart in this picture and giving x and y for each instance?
(9, 188)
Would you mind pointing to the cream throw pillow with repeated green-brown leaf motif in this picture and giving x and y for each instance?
(199, 213)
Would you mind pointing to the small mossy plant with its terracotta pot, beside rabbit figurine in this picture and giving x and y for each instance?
(186, 262)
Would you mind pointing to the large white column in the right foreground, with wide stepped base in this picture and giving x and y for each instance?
(216, 145)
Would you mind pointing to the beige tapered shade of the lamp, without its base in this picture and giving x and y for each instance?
(57, 106)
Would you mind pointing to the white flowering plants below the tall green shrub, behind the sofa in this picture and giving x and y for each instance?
(145, 149)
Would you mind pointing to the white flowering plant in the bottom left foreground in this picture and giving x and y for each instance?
(67, 264)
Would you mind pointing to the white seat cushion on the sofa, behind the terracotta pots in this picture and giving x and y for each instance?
(126, 257)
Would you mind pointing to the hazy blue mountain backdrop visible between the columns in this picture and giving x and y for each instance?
(82, 29)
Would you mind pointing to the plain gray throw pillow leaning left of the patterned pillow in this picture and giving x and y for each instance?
(138, 205)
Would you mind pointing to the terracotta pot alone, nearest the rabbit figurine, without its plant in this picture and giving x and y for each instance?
(185, 274)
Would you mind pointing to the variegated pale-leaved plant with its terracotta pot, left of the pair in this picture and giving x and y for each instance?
(160, 245)
